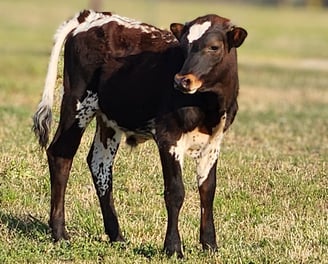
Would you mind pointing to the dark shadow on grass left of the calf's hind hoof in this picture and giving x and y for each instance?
(26, 225)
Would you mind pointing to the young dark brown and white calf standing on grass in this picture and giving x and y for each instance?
(179, 89)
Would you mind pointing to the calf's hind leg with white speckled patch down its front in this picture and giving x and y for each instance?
(100, 160)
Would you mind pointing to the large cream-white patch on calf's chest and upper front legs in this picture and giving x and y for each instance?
(203, 148)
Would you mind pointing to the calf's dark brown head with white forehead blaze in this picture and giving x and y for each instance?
(206, 42)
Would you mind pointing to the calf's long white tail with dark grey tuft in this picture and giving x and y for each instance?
(43, 116)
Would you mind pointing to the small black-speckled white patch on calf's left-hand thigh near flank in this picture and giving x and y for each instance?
(86, 109)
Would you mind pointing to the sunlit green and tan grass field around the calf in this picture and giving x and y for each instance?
(271, 204)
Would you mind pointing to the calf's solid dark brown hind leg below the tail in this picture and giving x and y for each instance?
(60, 156)
